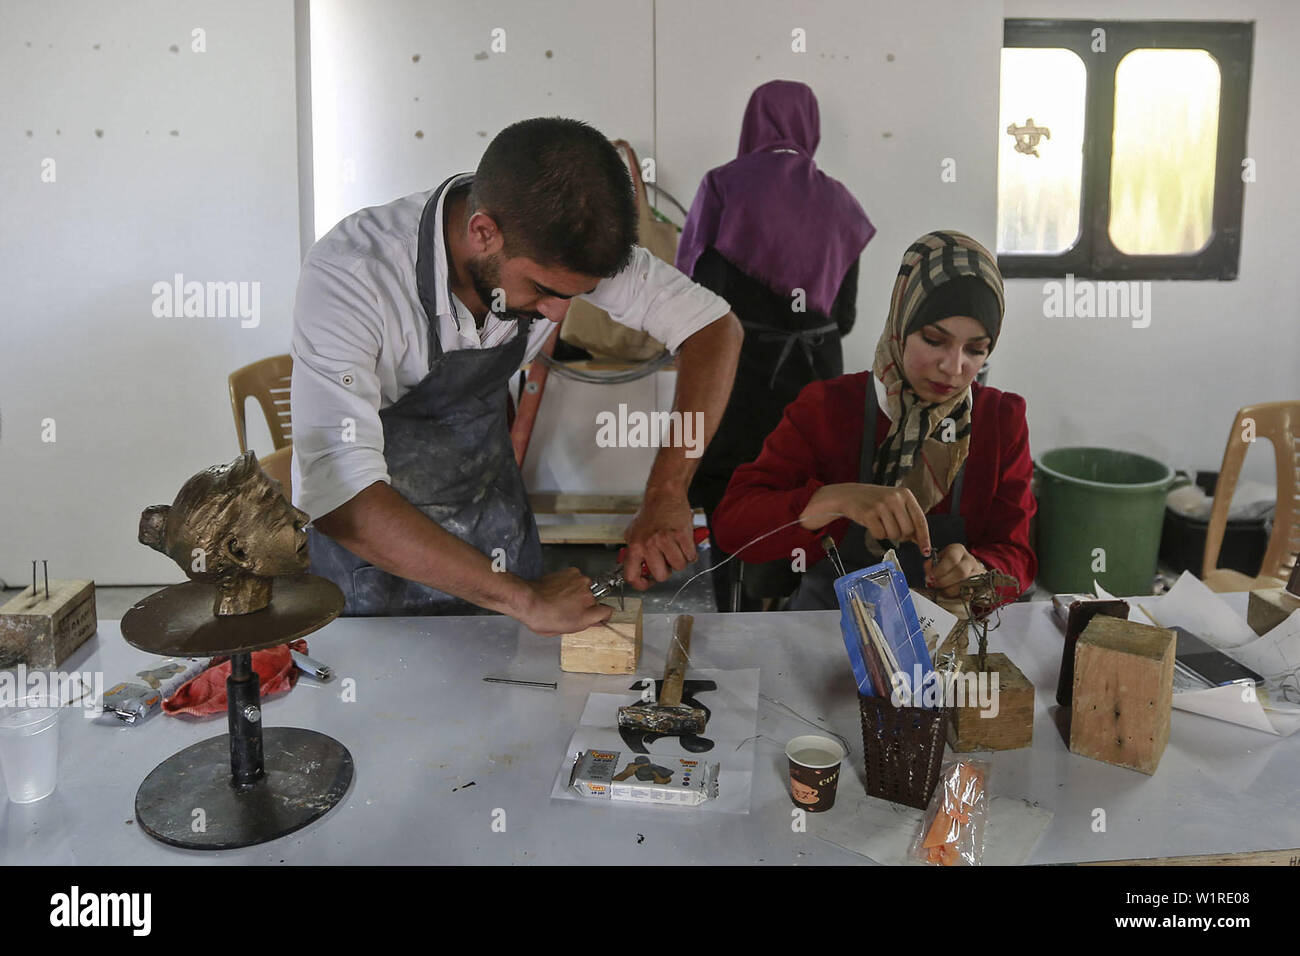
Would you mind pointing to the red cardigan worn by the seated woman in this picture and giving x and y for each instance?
(820, 443)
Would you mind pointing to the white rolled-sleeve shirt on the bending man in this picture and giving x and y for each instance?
(362, 338)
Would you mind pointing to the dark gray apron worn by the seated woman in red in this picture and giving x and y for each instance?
(817, 586)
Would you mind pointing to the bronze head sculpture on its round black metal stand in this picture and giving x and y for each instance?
(244, 548)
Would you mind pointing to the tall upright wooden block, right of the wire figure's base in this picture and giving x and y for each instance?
(1124, 691)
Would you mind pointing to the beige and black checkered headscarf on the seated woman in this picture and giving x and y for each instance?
(915, 455)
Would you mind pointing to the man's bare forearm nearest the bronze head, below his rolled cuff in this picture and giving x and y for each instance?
(388, 531)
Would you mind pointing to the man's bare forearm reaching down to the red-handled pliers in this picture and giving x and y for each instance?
(707, 370)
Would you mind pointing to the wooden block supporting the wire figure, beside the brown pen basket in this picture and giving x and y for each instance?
(1012, 728)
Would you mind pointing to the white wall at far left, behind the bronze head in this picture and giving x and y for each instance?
(140, 403)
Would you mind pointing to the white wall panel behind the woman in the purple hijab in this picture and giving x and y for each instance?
(887, 124)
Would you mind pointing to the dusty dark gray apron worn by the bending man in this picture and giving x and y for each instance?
(449, 453)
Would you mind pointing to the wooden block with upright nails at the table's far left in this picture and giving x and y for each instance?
(44, 633)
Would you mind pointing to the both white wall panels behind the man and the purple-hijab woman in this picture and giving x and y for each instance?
(366, 84)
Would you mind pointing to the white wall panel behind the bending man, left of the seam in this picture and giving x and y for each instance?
(590, 60)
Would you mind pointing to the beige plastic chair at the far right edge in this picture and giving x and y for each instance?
(1279, 422)
